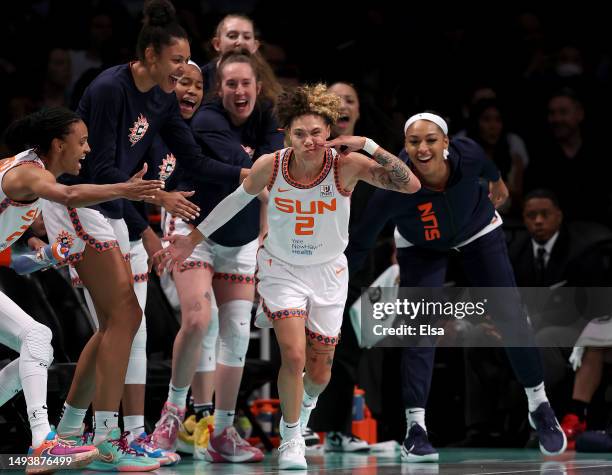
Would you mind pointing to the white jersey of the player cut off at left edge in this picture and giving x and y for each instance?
(16, 217)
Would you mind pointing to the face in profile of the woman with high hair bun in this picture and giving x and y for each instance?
(167, 67)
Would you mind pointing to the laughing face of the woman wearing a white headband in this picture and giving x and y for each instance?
(425, 145)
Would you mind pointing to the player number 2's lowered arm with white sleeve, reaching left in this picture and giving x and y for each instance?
(181, 247)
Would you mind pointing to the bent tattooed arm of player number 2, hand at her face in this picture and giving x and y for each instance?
(385, 170)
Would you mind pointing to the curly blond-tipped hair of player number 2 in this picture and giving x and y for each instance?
(308, 99)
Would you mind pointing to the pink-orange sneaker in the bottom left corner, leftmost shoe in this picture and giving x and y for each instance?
(56, 454)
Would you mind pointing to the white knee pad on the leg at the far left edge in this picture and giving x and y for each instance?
(36, 353)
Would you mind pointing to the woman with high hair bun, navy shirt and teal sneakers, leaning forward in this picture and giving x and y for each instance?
(125, 107)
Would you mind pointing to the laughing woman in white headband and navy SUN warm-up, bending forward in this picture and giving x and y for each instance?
(453, 211)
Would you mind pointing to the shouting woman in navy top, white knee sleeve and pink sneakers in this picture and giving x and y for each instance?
(235, 129)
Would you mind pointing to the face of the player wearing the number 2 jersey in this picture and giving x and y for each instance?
(308, 134)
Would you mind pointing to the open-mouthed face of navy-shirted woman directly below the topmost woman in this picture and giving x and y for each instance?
(238, 90)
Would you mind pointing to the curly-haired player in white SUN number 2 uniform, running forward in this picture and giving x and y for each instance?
(302, 275)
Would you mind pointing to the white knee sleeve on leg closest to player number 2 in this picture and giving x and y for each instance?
(234, 332)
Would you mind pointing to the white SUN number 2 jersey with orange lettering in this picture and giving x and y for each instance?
(308, 223)
